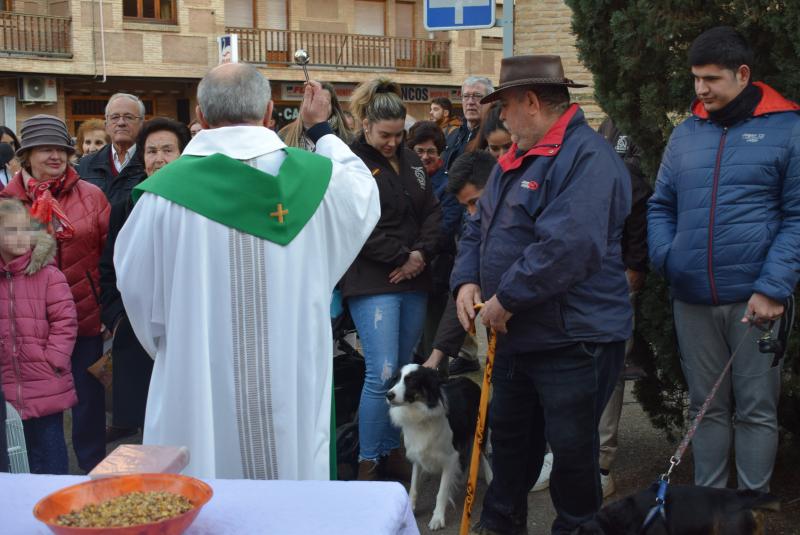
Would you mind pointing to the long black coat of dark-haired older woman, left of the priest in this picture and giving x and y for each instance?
(132, 365)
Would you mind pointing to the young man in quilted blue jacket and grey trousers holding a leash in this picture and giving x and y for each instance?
(724, 228)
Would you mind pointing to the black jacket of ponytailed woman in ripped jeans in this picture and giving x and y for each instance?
(410, 221)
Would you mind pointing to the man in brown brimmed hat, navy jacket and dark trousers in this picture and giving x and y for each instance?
(544, 253)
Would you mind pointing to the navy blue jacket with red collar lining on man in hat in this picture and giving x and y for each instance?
(547, 241)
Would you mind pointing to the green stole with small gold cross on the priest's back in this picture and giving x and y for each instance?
(274, 208)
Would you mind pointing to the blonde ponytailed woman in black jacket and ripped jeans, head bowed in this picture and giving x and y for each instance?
(386, 287)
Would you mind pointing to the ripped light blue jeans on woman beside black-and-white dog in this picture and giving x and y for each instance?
(389, 326)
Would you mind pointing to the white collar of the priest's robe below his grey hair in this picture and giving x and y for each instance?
(237, 142)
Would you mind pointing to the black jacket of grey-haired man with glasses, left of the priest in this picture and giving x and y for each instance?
(98, 169)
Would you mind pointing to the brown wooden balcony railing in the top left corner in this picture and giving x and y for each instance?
(35, 35)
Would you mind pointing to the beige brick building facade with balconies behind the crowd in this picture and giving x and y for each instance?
(66, 57)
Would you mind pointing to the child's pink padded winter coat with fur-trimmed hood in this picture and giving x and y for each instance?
(38, 326)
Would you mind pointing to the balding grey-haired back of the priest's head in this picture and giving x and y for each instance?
(234, 94)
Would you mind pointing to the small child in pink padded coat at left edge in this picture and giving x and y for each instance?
(38, 326)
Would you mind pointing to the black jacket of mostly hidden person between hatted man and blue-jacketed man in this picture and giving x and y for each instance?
(634, 234)
